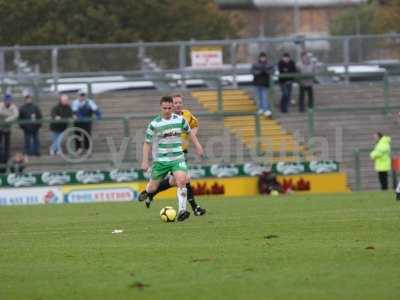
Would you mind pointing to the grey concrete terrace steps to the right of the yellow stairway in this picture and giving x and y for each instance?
(349, 116)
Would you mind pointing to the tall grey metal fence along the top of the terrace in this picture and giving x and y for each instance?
(58, 61)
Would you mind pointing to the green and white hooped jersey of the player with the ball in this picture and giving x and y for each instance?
(165, 137)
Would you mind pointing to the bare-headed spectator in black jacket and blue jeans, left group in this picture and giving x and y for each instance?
(61, 111)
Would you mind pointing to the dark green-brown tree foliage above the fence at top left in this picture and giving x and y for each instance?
(28, 22)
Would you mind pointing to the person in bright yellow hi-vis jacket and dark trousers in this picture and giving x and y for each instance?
(381, 157)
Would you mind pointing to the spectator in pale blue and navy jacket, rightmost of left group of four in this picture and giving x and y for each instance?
(83, 109)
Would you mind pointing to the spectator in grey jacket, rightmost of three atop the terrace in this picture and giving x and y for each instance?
(307, 68)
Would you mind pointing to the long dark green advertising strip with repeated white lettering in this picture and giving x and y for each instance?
(131, 175)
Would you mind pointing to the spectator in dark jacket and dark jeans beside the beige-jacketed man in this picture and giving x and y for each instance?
(30, 112)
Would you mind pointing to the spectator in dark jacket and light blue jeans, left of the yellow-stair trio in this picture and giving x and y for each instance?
(262, 72)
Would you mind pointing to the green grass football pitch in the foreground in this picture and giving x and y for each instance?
(297, 247)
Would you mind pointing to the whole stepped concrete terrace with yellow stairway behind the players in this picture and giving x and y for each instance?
(344, 106)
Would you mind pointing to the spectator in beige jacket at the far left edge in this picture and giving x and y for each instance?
(8, 114)
